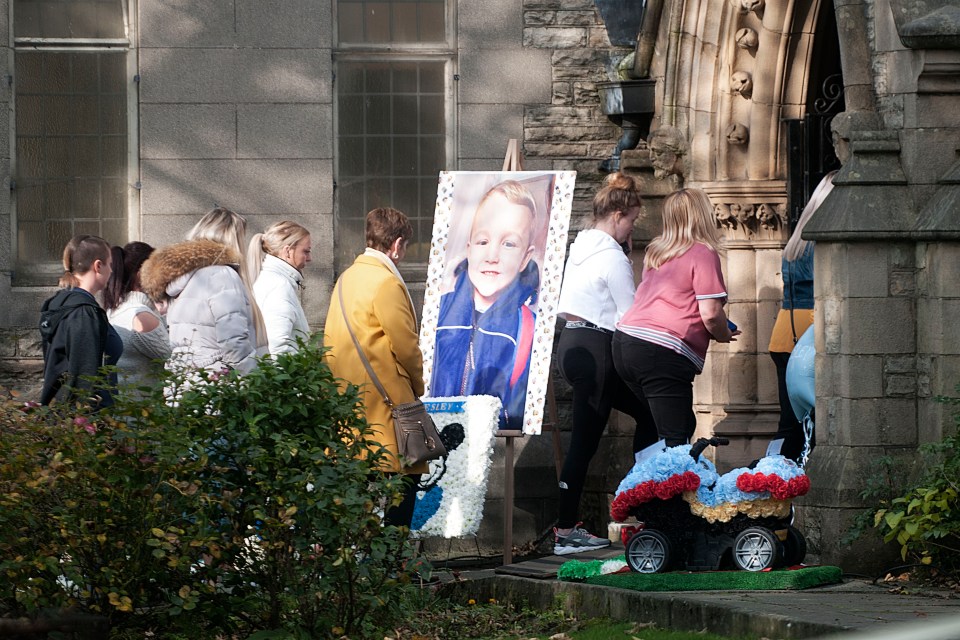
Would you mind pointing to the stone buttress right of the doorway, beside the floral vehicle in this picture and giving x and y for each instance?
(865, 288)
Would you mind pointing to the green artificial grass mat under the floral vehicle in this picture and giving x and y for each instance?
(779, 579)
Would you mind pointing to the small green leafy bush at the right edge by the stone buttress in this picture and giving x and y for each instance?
(925, 520)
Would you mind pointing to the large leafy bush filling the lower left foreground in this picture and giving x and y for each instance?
(252, 503)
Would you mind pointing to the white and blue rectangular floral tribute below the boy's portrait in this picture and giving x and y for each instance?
(451, 505)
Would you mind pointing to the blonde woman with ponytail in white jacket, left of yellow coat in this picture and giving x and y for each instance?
(276, 259)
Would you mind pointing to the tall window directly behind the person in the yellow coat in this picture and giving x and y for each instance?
(393, 87)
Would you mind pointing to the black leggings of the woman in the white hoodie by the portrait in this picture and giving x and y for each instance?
(586, 362)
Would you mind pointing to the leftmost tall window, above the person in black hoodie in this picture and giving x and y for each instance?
(71, 141)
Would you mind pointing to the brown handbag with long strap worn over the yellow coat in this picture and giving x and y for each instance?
(417, 437)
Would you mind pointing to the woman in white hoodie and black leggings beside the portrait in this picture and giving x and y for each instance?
(597, 289)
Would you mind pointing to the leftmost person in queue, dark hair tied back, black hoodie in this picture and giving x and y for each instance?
(77, 337)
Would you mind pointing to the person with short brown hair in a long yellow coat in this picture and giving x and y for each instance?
(381, 314)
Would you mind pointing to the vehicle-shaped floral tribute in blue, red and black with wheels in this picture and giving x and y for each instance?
(693, 518)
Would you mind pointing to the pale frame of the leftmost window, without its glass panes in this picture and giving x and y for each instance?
(45, 273)
